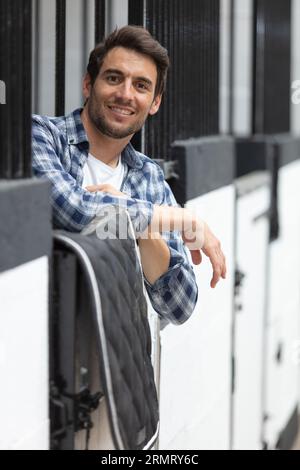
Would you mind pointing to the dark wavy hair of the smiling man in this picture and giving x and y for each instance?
(137, 39)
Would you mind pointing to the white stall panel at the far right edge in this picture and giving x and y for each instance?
(284, 308)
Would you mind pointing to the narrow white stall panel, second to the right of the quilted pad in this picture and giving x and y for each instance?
(252, 243)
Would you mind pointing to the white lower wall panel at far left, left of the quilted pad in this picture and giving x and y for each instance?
(24, 346)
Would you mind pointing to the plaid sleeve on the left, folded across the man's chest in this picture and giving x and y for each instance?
(73, 207)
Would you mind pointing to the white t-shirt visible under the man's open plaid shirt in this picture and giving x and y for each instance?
(97, 172)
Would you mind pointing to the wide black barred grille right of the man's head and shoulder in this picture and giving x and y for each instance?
(190, 31)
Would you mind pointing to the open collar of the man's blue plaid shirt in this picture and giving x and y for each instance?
(76, 135)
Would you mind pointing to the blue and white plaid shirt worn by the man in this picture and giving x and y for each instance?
(60, 150)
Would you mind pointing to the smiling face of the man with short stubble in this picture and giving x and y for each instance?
(123, 93)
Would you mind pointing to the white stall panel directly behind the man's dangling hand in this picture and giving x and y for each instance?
(196, 356)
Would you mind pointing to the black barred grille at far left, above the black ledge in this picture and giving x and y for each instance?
(15, 73)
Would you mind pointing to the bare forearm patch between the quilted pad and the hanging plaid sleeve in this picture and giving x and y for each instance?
(155, 257)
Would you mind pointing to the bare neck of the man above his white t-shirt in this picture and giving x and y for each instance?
(105, 149)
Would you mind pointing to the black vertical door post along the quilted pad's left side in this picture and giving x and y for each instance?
(62, 329)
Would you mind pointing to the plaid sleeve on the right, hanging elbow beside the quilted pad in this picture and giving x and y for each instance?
(174, 294)
